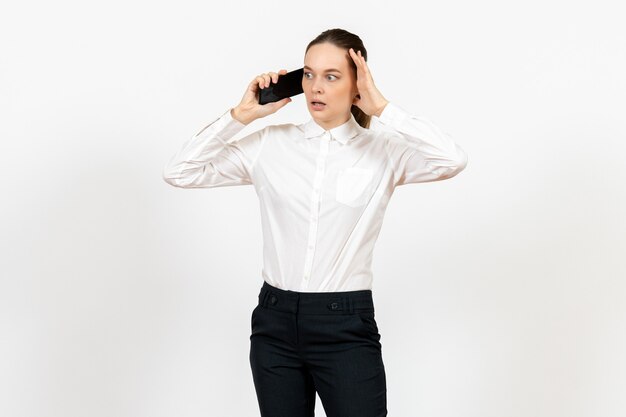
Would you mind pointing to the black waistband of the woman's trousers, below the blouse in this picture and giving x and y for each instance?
(341, 302)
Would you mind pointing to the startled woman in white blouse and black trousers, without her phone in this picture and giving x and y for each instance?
(323, 188)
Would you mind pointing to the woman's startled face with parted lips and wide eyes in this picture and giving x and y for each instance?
(328, 78)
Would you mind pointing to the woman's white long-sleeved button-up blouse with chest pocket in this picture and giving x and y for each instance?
(322, 194)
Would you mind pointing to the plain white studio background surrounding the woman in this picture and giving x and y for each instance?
(499, 293)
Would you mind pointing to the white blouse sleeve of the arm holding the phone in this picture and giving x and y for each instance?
(210, 159)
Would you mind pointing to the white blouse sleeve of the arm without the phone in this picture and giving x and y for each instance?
(418, 150)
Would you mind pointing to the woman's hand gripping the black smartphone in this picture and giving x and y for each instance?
(249, 109)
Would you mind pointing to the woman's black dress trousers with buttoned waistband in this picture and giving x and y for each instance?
(325, 342)
